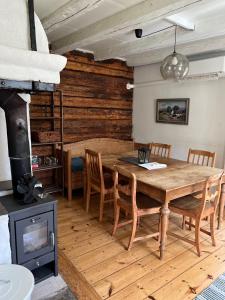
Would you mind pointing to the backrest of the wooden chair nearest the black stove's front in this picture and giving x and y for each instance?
(125, 186)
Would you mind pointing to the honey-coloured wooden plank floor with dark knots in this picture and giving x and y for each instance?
(96, 265)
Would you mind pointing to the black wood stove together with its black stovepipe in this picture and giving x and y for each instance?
(32, 215)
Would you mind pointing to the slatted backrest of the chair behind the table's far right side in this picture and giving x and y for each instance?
(201, 157)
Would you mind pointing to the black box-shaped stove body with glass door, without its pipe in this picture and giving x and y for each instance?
(33, 235)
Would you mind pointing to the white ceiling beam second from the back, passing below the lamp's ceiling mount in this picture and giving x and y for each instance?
(204, 29)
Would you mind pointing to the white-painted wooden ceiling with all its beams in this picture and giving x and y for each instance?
(106, 27)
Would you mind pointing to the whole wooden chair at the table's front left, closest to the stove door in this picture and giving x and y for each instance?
(135, 205)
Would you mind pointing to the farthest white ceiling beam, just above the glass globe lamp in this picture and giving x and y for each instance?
(196, 47)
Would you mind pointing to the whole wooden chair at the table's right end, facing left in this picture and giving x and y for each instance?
(198, 210)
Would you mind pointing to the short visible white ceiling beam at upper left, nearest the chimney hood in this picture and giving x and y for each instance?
(63, 15)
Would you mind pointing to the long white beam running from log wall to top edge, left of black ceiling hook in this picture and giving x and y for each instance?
(123, 21)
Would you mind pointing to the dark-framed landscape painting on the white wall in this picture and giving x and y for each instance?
(172, 111)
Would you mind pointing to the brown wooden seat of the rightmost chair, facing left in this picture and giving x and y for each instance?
(189, 205)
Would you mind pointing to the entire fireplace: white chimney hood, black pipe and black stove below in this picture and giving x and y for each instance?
(33, 226)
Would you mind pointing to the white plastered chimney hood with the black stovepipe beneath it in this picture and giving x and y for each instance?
(25, 66)
